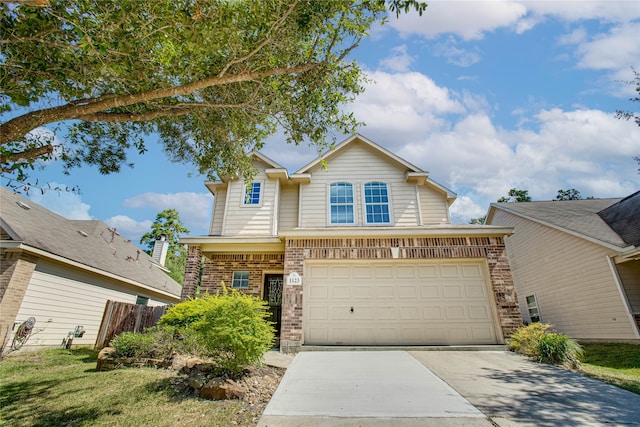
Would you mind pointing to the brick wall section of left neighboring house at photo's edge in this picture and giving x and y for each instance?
(16, 269)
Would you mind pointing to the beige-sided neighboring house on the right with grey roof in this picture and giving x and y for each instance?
(576, 264)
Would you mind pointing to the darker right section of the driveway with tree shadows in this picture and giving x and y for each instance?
(514, 391)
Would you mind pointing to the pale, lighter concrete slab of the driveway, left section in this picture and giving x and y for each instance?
(367, 389)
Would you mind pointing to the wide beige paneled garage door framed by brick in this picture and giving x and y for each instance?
(397, 303)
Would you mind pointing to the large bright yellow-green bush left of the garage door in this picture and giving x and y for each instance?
(231, 328)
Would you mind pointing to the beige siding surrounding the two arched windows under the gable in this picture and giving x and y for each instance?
(357, 165)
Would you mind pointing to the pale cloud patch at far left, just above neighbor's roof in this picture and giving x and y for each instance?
(59, 199)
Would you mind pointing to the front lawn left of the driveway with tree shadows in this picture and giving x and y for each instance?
(62, 388)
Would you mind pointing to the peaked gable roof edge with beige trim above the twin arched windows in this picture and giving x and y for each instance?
(412, 170)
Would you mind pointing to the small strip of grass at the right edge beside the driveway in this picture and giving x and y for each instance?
(617, 364)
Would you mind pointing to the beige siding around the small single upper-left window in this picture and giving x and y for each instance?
(251, 220)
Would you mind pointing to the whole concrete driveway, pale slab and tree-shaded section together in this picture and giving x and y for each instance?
(441, 388)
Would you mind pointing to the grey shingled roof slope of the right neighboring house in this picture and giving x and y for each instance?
(576, 217)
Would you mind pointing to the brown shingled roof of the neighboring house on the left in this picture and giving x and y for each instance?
(87, 243)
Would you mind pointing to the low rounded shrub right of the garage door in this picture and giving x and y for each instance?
(539, 342)
